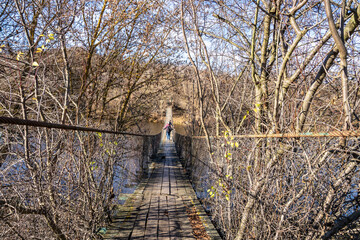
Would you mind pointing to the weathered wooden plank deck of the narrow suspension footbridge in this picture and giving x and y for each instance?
(159, 207)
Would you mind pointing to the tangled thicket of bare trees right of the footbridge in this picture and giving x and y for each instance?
(280, 189)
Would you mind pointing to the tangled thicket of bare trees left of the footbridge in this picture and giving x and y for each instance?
(68, 62)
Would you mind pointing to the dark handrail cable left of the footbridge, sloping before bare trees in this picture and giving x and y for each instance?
(18, 121)
